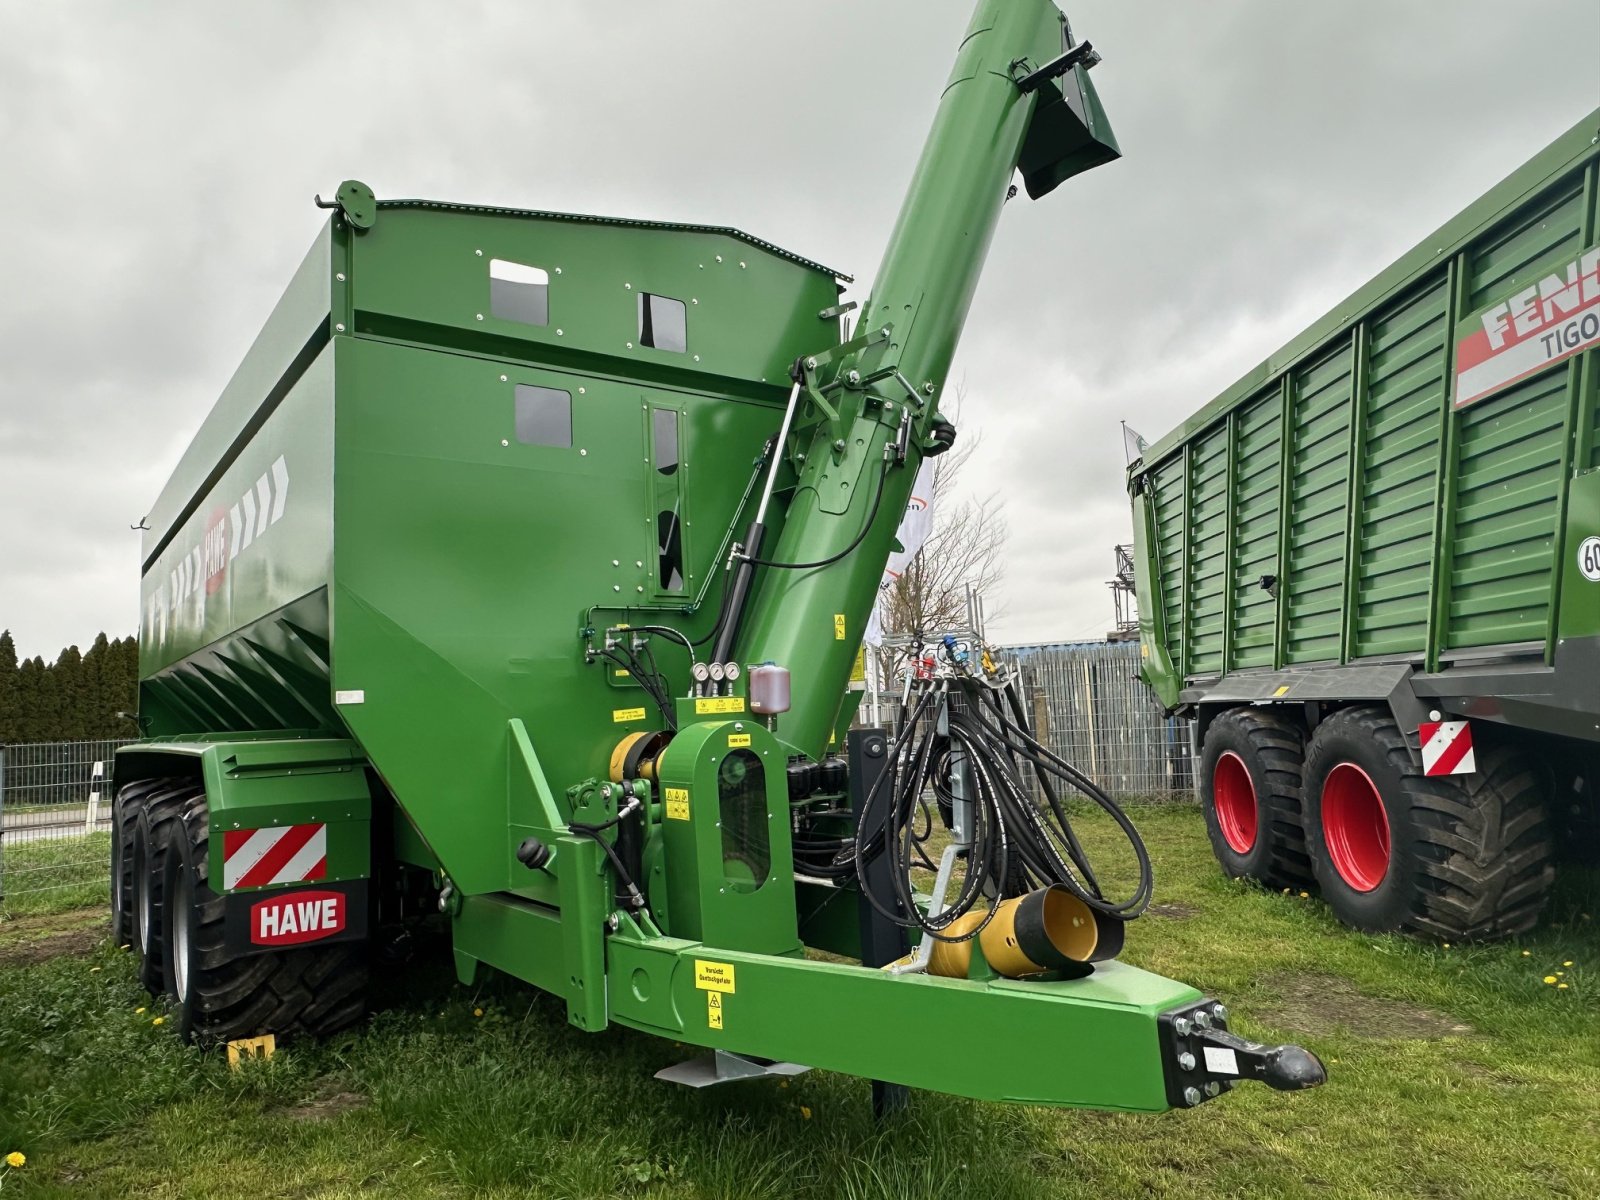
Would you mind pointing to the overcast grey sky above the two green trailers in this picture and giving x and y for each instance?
(161, 162)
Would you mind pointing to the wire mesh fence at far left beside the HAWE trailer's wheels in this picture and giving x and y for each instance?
(55, 815)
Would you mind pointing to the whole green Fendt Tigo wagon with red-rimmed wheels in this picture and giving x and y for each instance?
(1372, 572)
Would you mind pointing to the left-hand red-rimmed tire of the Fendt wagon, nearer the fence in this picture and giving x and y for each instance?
(1250, 791)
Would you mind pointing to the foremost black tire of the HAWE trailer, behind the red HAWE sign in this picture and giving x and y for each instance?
(220, 996)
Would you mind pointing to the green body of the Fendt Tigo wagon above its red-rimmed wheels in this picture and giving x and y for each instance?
(1401, 508)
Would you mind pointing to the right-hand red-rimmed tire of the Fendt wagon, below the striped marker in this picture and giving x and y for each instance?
(1458, 858)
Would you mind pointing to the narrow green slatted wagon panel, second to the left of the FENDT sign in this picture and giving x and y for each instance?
(1318, 506)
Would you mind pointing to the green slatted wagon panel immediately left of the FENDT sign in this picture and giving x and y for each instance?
(1409, 358)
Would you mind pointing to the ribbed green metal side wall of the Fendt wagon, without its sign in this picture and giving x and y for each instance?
(1407, 527)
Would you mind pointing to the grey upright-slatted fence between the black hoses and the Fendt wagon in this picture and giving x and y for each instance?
(1092, 710)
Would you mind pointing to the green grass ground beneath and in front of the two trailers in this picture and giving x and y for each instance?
(1455, 1073)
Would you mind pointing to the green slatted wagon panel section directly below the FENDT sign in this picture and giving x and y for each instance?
(1508, 482)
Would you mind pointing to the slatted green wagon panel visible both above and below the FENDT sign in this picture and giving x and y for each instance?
(1508, 476)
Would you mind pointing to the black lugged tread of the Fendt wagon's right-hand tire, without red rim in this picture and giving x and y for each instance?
(1486, 839)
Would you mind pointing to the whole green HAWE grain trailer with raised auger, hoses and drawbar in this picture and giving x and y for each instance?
(519, 575)
